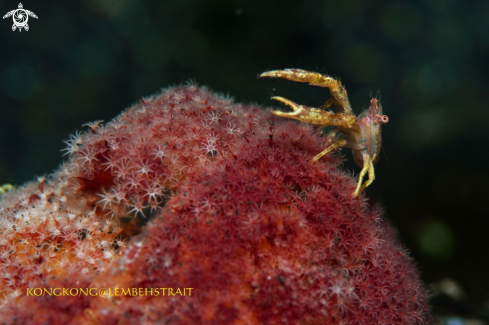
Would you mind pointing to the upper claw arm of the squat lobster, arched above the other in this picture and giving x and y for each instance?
(315, 79)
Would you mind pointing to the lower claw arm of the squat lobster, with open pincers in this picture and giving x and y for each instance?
(315, 116)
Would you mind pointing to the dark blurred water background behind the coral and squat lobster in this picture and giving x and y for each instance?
(88, 60)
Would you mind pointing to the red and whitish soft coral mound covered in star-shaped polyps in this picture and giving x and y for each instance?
(235, 210)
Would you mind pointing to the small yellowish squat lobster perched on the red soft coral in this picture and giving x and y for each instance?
(360, 133)
